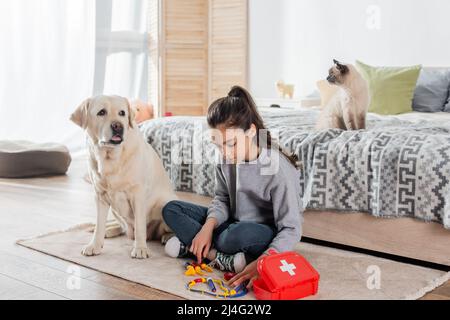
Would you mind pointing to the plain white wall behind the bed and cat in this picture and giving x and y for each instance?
(296, 40)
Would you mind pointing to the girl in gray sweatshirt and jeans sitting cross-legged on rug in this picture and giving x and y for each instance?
(255, 208)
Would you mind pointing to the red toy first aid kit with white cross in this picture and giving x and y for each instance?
(285, 276)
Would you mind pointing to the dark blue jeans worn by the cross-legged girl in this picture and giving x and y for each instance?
(186, 219)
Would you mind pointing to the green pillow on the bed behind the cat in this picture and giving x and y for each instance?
(391, 88)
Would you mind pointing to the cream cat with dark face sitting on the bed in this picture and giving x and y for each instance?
(347, 109)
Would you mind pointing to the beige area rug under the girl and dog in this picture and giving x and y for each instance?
(343, 274)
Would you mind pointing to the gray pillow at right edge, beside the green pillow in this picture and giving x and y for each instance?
(432, 90)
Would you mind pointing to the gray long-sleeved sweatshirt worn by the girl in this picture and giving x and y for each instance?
(257, 192)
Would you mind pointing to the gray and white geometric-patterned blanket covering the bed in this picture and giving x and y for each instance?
(394, 168)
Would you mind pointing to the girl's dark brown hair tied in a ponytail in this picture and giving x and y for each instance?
(238, 109)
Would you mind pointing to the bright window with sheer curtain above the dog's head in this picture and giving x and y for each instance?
(121, 60)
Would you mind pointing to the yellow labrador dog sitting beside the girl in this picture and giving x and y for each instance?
(127, 175)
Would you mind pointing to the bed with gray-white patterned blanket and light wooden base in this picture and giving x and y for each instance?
(398, 168)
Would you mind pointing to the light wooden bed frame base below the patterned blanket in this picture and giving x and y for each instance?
(404, 237)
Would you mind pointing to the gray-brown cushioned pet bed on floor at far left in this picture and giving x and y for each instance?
(23, 159)
